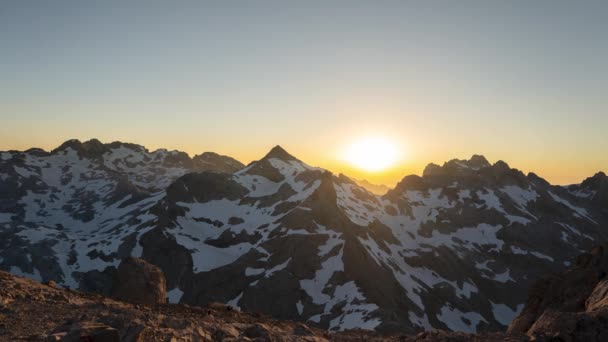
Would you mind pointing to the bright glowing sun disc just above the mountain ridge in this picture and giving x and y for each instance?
(372, 154)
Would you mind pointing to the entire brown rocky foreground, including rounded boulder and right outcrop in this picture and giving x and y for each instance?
(569, 306)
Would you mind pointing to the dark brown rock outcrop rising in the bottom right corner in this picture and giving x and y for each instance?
(569, 306)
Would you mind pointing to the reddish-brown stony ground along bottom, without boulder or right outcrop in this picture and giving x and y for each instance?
(31, 311)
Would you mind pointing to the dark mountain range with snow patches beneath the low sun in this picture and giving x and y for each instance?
(455, 248)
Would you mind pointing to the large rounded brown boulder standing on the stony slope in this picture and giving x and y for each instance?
(139, 282)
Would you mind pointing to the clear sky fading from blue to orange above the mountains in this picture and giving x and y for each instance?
(521, 81)
